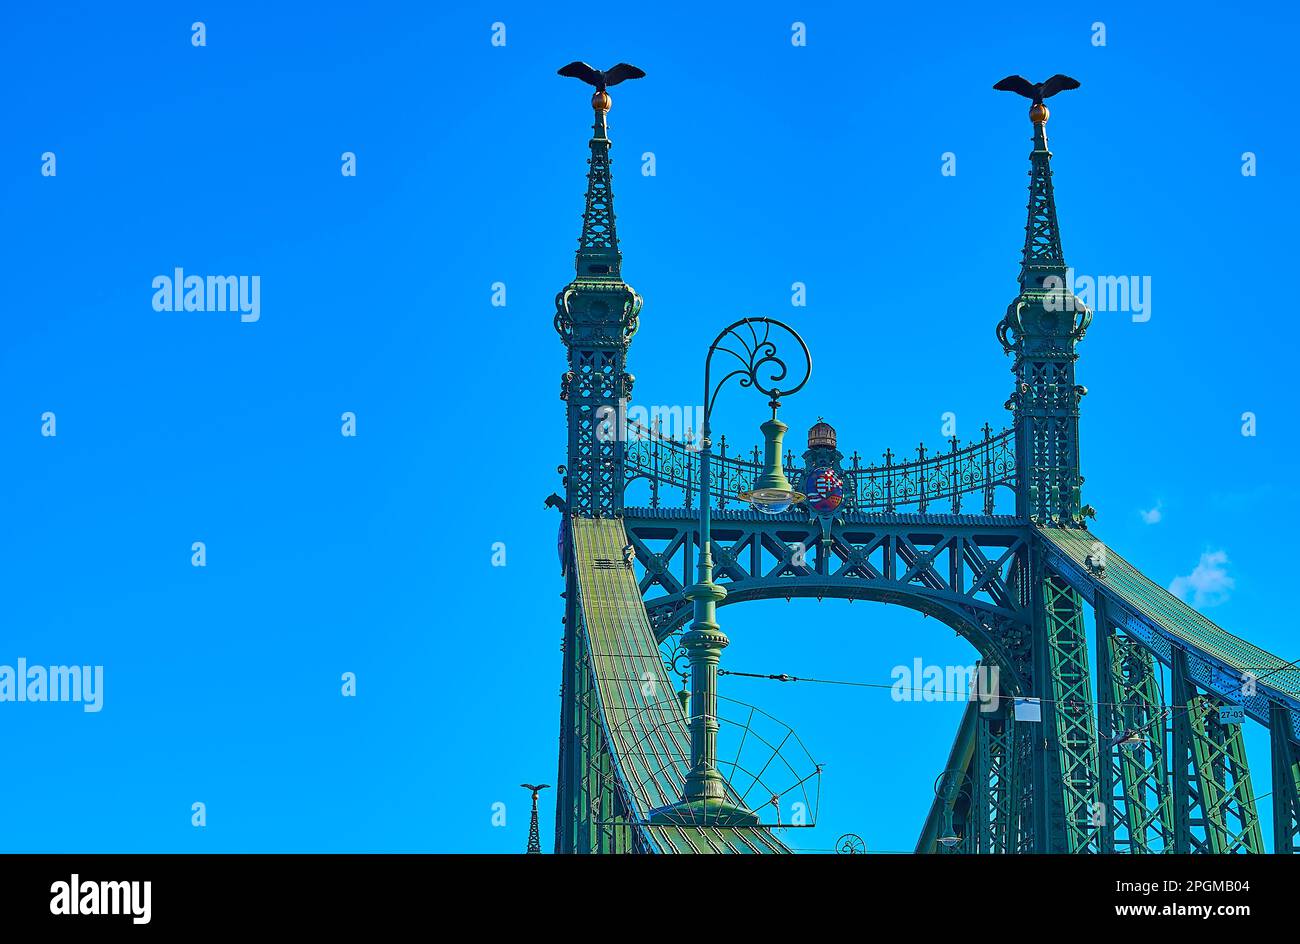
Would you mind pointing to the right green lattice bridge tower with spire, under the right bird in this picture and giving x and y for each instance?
(1041, 331)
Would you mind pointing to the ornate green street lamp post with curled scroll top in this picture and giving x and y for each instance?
(751, 343)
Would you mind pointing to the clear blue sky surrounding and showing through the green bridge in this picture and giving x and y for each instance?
(372, 555)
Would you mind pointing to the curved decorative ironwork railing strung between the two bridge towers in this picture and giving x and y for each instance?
(948, 478)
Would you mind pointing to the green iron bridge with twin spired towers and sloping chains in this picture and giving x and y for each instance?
(991, 538)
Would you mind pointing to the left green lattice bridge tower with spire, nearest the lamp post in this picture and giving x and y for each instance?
(596, 317)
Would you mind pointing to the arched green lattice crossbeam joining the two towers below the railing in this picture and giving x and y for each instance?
(968, 571)
